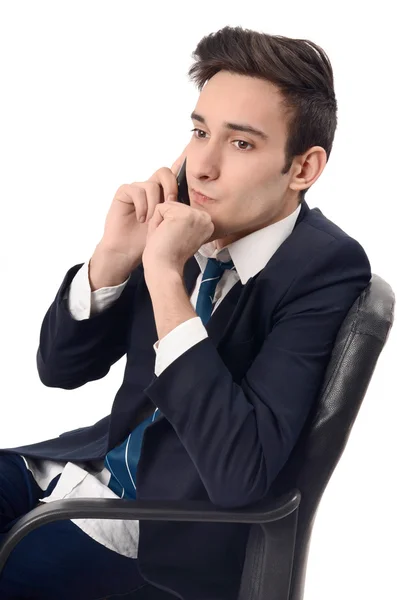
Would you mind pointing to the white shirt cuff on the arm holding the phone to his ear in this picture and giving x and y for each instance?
(83, 303)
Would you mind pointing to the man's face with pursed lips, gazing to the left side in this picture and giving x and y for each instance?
(243, 177)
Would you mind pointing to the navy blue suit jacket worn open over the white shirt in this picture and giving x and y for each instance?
(232, 406)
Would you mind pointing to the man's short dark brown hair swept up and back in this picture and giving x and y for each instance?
(299, 68)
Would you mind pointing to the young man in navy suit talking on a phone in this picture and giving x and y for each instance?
(227, 310)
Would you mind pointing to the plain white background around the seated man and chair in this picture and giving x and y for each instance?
(96, 94)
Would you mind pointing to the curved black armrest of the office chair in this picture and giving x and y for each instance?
(148, 510)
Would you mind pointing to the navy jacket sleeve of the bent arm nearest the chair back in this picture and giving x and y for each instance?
(240, 436)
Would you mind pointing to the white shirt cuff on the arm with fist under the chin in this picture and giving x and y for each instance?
(178, 341)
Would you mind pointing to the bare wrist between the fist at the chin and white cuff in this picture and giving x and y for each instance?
(171, 304)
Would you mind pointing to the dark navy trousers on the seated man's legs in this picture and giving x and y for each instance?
(58, 561)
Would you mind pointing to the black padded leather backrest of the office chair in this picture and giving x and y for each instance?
(357, 347)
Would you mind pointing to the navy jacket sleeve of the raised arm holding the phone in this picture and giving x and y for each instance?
(72, 352)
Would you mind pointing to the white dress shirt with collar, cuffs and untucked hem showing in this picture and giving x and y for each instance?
(250, 255)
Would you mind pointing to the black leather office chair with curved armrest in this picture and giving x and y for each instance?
(278, 546)
